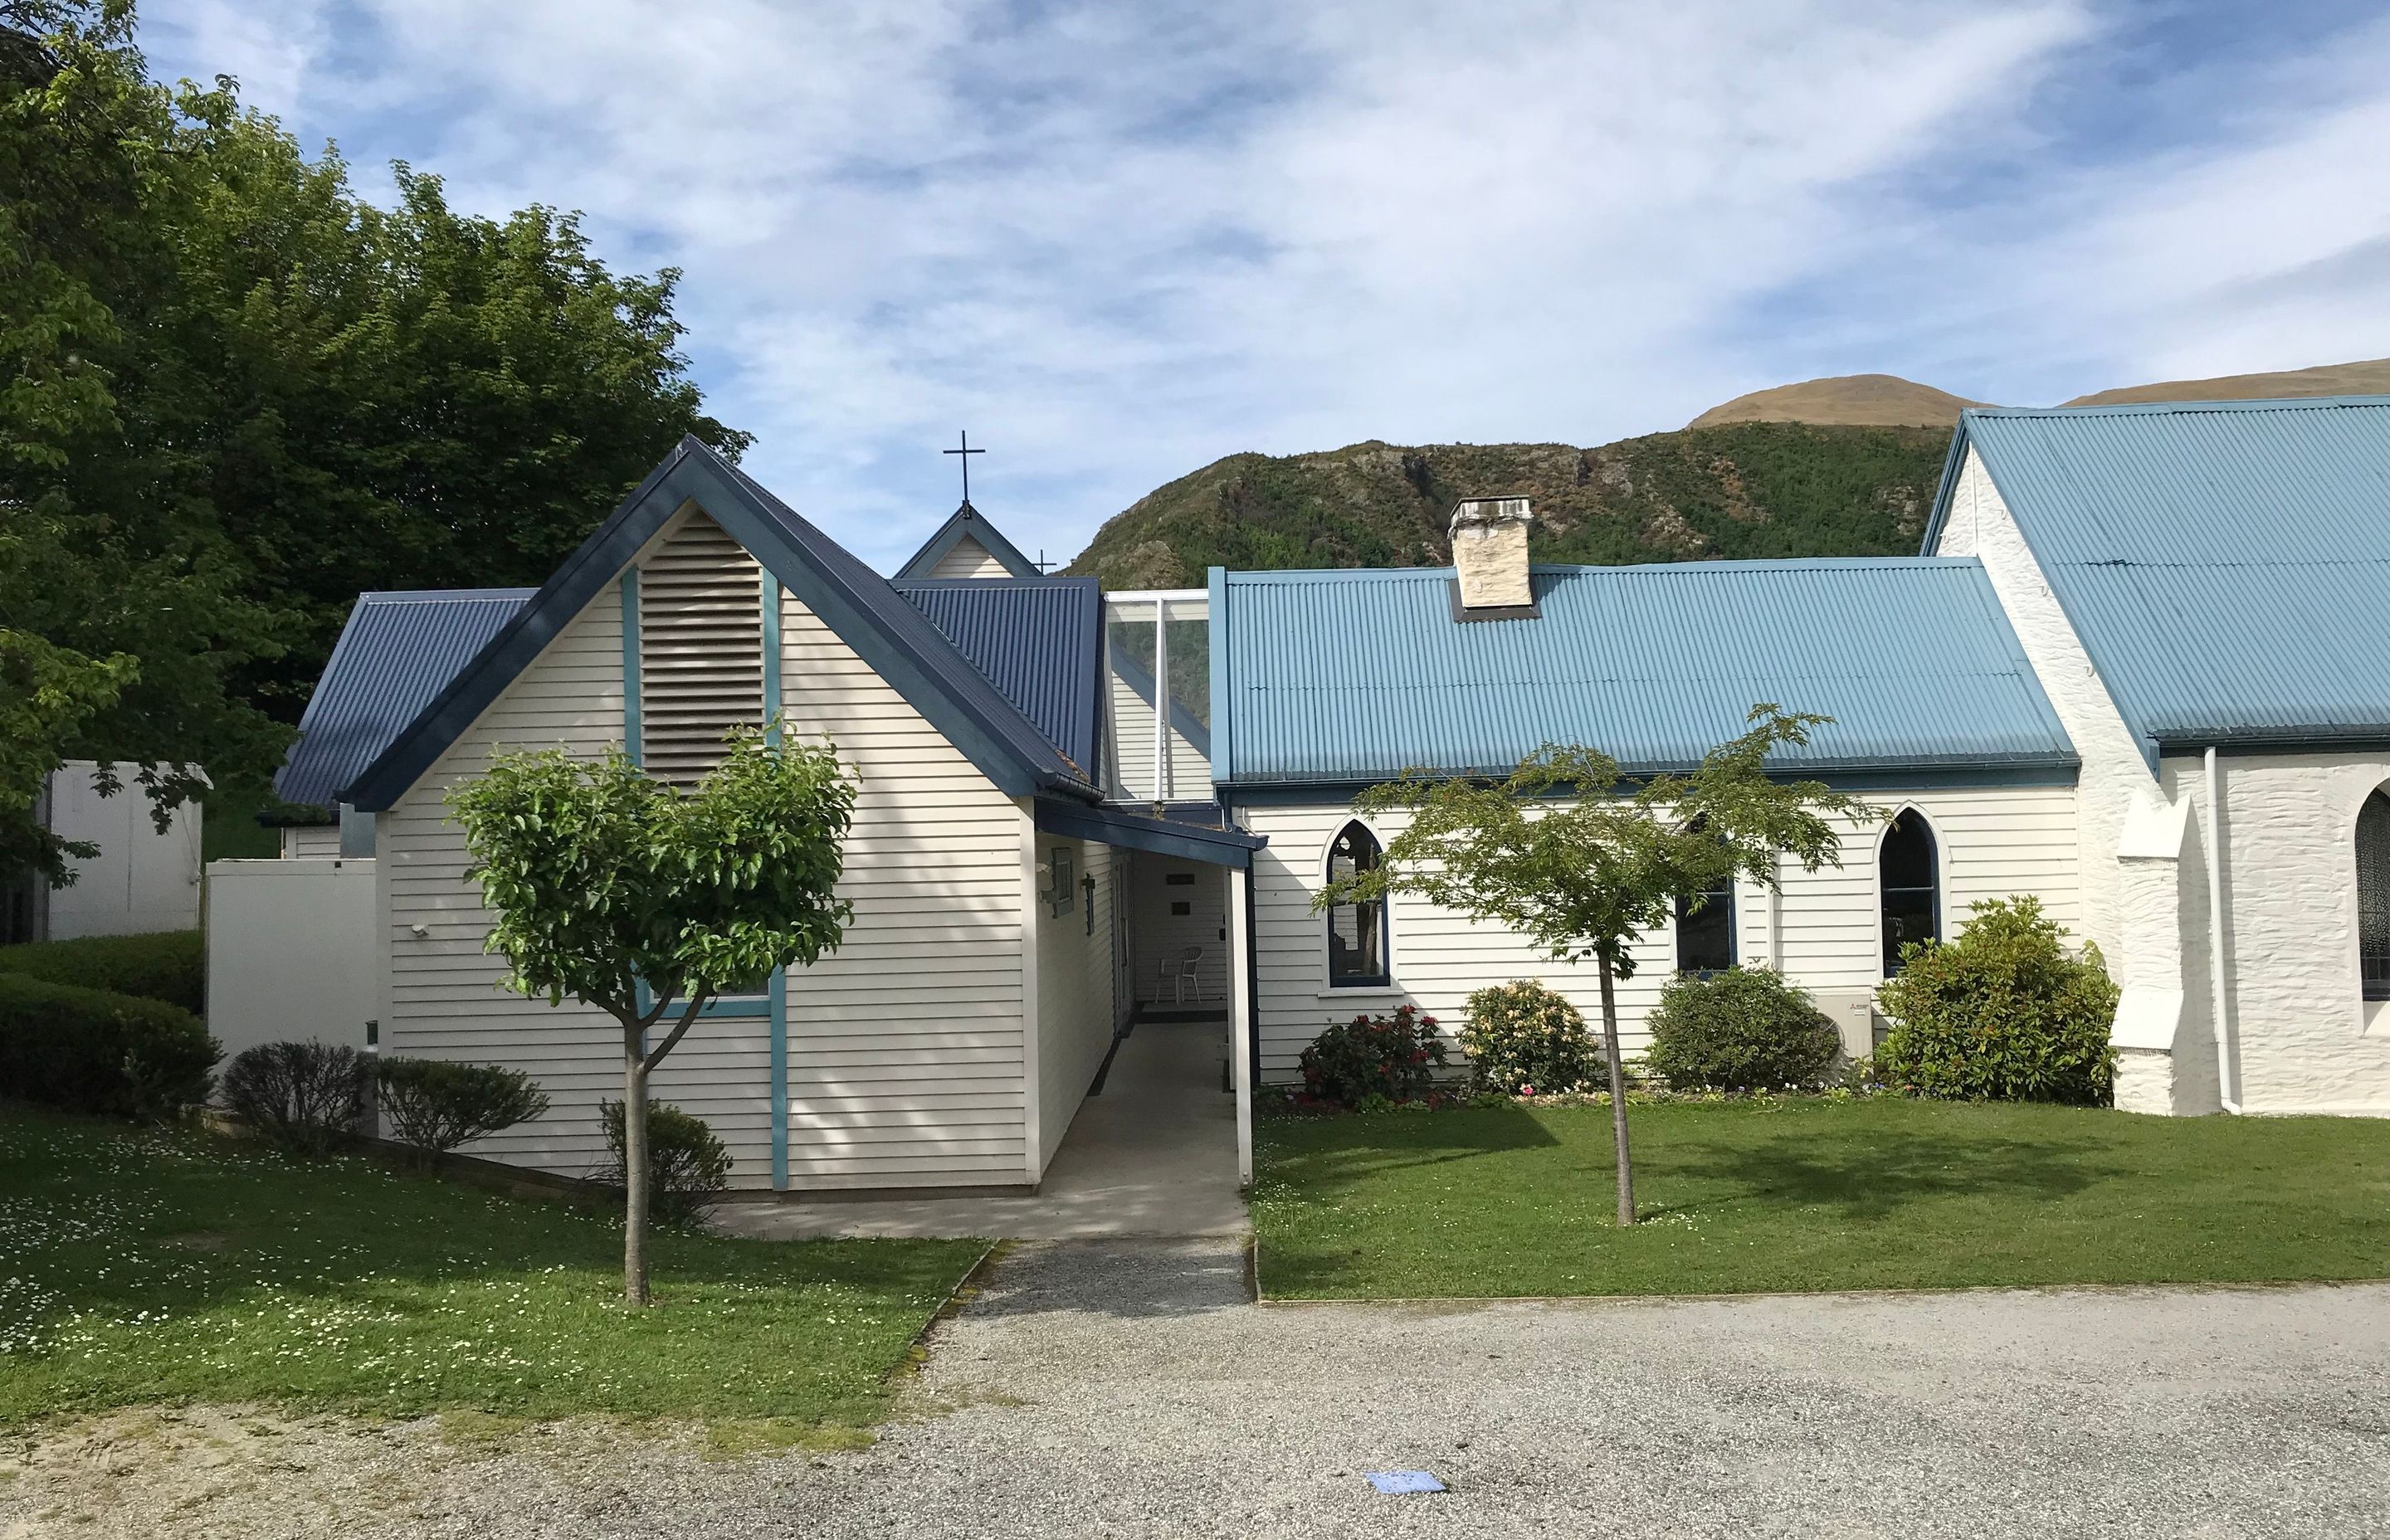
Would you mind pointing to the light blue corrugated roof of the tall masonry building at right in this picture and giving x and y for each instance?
(2224, 563)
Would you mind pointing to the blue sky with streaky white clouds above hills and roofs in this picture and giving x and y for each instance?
(1120, 243)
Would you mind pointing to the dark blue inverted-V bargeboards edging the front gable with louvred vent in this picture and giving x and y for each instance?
(697, 475)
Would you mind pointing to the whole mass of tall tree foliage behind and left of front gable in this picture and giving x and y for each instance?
(240, 396)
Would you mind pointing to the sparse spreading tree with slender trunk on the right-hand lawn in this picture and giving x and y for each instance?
(1579, 860)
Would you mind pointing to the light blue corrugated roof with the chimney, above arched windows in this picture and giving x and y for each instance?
(1359, 676)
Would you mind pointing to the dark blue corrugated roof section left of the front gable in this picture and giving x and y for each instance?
(396, 654)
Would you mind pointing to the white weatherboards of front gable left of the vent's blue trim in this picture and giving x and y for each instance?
(443, 998)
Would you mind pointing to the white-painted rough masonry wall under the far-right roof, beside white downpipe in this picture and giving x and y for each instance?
(2305, 1034)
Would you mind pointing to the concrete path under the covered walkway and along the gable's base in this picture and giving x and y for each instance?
(1153, 1156)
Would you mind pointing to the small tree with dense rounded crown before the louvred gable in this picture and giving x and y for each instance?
(644, 900)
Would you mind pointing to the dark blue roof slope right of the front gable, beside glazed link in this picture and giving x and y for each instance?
(1036, 640)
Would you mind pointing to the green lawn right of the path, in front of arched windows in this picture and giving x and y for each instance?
(1808, 1194)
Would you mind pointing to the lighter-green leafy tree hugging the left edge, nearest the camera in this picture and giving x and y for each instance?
(121, 611)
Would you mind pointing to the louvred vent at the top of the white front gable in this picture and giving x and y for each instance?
(699, 649)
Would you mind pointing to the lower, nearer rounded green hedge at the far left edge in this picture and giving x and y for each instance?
(90, 1051)
